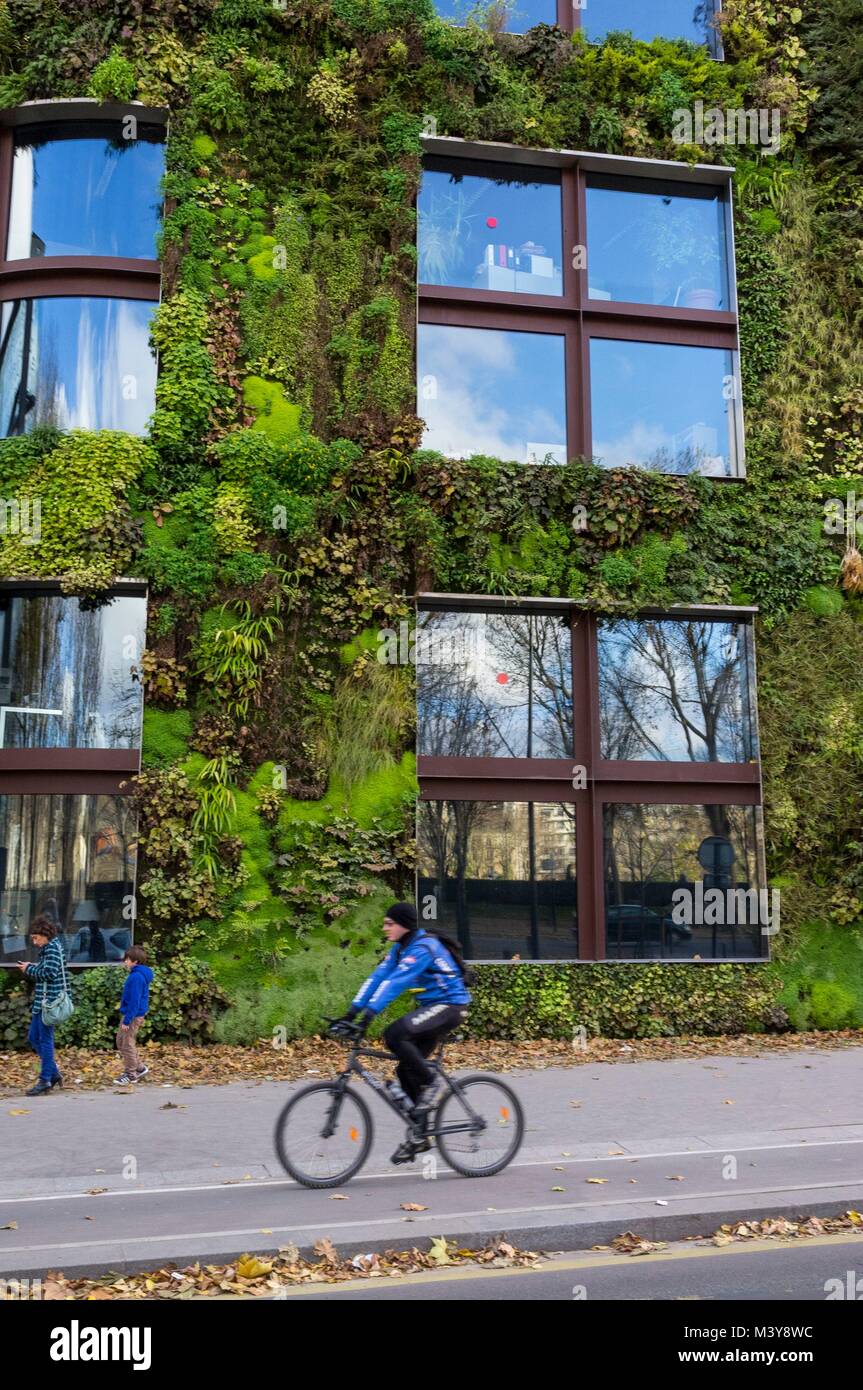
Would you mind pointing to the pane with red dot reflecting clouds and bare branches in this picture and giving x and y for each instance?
(494, 686)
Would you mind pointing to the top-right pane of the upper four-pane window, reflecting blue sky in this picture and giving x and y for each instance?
(657, 244)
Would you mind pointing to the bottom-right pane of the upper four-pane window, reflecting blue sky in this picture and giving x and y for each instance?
(664, 407)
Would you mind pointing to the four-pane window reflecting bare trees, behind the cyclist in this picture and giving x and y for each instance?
(543, 730)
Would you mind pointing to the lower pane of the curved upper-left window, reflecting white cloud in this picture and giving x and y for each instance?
(76, 363)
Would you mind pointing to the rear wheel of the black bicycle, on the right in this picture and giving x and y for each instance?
(493, 1139)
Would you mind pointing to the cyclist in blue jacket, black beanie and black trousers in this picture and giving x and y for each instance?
(422, 963)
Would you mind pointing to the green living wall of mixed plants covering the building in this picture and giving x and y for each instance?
(280, 509)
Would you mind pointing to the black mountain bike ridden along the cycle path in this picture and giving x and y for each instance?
(326, 1132)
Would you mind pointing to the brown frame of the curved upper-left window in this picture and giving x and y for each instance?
(44, 277)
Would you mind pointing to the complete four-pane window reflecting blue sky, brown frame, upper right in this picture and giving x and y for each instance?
(569, 312)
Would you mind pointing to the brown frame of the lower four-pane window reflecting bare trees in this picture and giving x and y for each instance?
(551, 779)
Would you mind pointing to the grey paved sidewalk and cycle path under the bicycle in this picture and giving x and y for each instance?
(129, 1181)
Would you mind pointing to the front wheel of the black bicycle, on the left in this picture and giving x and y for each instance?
(324, 1135)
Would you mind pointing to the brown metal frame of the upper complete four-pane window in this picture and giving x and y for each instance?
(573, 315)
